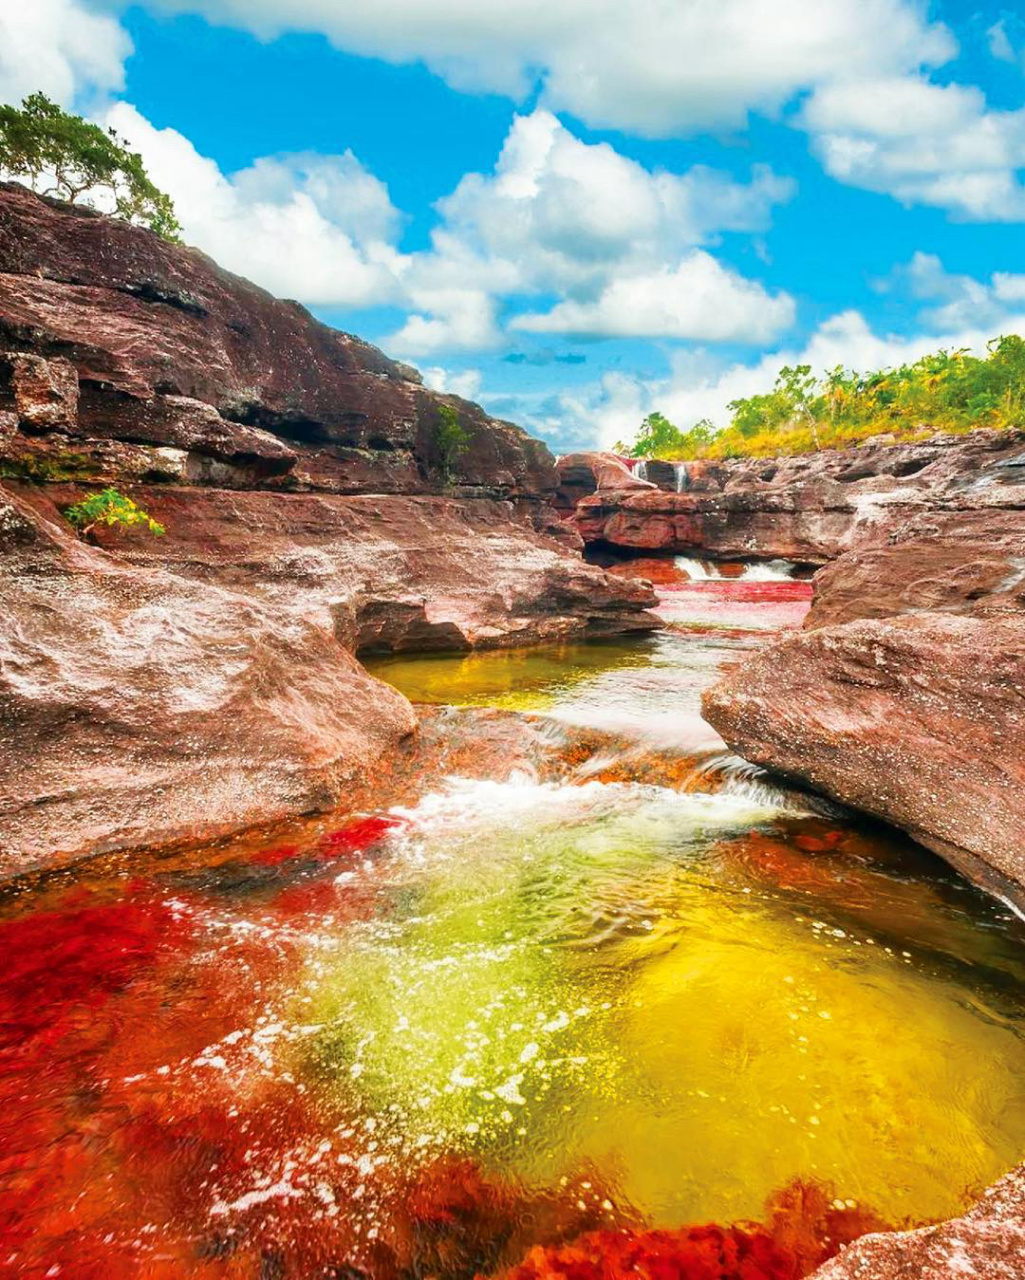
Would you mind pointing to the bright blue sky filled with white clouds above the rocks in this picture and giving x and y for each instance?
(579, 212)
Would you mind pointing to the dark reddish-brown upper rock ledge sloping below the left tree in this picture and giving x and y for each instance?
(141, 319)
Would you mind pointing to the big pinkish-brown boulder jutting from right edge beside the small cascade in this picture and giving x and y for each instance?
(917, 720)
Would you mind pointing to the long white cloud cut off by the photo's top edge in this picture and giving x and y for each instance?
(649, 67)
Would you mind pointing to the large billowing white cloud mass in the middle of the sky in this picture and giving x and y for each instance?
(610, 240)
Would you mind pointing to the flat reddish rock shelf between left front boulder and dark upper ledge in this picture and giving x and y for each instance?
(379, 573)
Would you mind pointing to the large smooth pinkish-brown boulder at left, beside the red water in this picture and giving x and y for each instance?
(141, 708)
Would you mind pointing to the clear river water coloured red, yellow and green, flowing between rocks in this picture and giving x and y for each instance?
(616, 1005)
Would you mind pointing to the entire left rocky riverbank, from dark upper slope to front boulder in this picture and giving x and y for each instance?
(175, 688)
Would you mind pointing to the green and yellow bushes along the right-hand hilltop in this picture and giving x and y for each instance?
(944, 392)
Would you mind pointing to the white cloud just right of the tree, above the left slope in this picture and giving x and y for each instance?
(303, 227)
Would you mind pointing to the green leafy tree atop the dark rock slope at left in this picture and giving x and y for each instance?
(66, 157)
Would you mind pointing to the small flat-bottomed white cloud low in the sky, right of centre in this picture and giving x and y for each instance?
(699, 300)
